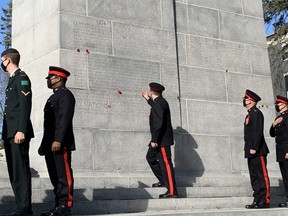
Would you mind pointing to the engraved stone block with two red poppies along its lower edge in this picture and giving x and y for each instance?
(83, 33)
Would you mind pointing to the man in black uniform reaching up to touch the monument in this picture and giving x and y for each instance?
(159, 152)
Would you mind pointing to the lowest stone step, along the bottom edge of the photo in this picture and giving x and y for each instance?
(216, 206)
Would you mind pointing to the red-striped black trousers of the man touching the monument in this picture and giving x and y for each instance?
(161, 164)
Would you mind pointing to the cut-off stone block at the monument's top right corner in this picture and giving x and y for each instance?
(253, 8)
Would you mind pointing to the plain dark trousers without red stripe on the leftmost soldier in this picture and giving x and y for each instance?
(17, 156)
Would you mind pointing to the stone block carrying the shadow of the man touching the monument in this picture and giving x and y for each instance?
(193, 154)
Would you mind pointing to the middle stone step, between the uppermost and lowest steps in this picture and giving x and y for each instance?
(39, 195)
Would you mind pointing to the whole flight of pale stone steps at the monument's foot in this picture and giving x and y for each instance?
(122, 193)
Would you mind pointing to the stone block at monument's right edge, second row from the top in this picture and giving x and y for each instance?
(242, 29)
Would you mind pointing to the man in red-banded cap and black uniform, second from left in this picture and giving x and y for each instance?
(58, 140)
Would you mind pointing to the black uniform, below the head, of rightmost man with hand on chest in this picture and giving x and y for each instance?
(280, 132)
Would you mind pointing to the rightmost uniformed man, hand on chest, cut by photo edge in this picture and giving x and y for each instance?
(279, 130)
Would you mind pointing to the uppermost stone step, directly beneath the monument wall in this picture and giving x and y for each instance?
(98, 182)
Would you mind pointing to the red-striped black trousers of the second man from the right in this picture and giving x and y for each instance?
(259, 178)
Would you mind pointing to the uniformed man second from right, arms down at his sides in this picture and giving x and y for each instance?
(256, 151)
